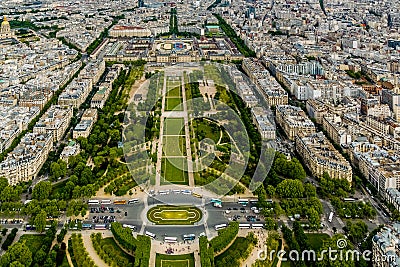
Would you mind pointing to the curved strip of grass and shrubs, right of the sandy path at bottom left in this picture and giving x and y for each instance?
(110, 252)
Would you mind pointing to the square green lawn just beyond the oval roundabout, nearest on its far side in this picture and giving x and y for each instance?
(173, 170)
